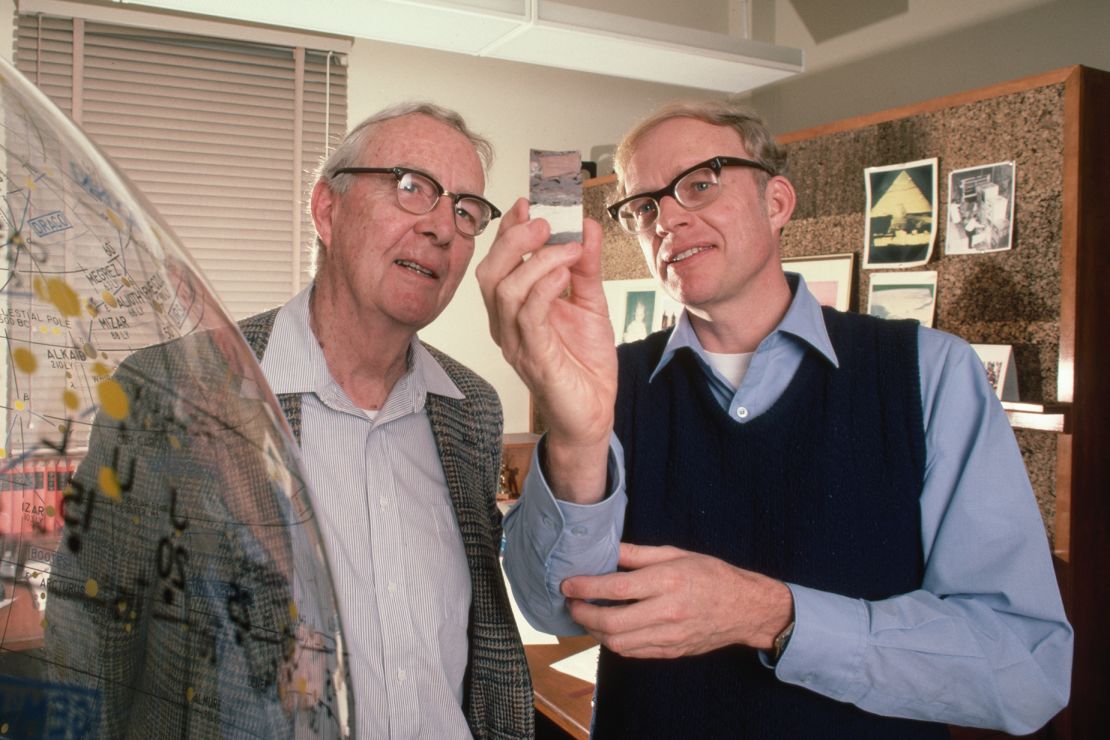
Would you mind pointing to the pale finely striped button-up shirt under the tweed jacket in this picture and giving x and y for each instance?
(392, 539)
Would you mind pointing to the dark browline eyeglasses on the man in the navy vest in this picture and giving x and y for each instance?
(694, 189)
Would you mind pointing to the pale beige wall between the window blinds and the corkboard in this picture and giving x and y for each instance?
(519, 107)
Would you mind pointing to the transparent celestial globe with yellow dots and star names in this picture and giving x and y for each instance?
(162, 570)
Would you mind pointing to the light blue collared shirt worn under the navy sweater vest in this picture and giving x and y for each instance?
(984, 643)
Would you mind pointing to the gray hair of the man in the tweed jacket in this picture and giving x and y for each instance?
(349, 151)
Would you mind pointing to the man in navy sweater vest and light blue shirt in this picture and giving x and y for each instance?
(829, 528)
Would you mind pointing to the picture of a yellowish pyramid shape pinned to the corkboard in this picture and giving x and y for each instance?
(902, 215)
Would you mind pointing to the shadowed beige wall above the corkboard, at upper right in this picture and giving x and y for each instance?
(922, 49)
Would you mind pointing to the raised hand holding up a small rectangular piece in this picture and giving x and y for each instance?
(560, 343)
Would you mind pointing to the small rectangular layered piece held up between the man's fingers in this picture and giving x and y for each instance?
(556, 194)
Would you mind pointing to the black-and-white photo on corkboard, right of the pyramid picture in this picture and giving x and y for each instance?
(981, 210)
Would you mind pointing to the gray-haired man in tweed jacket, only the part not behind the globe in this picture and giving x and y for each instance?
(401, 444)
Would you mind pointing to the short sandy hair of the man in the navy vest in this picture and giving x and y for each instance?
(758, 138)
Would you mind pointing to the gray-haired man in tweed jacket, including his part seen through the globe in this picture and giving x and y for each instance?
(185, 605)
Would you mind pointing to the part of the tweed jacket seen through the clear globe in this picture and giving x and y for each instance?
(169, 607)
